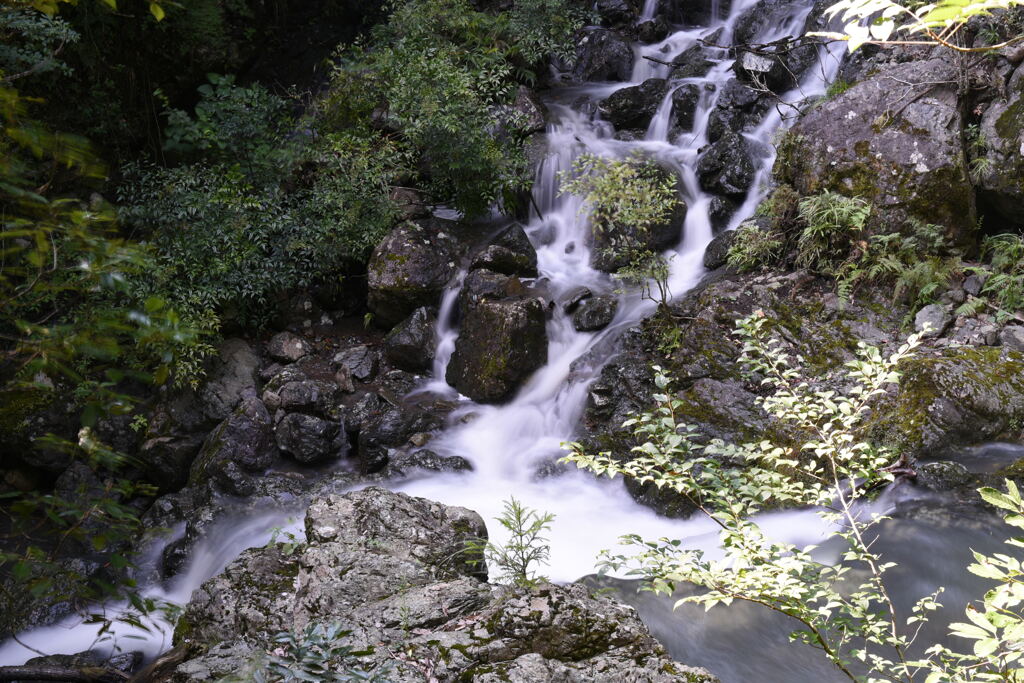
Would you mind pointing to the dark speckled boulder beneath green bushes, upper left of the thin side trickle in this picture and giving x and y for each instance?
(410, 269)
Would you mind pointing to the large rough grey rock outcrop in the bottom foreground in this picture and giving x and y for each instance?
(395, 570)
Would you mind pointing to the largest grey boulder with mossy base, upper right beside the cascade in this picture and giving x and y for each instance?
(907, 159)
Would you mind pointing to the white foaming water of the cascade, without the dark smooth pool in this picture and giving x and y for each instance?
(507, 445)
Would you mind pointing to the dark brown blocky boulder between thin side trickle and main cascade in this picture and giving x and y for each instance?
(501, 344)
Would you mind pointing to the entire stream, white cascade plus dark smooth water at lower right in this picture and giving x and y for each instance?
(511, 447)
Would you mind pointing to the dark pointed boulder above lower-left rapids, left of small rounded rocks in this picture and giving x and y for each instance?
(241, 445)
